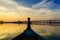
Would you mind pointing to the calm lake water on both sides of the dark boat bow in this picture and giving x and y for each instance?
(9, 31)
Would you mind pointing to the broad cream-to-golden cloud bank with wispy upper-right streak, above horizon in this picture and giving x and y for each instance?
(12, 10)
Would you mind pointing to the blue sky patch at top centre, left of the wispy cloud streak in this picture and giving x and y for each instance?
(28, 3)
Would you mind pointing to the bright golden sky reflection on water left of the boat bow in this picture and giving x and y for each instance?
(8, 31)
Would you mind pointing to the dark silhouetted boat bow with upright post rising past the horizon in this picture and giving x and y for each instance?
(29, 34)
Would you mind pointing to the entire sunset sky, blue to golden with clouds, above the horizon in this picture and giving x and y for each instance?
(13, 10)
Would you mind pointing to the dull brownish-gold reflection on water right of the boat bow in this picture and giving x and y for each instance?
(46, 30)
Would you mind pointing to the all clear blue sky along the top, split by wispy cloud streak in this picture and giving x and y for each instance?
(29, 3)
